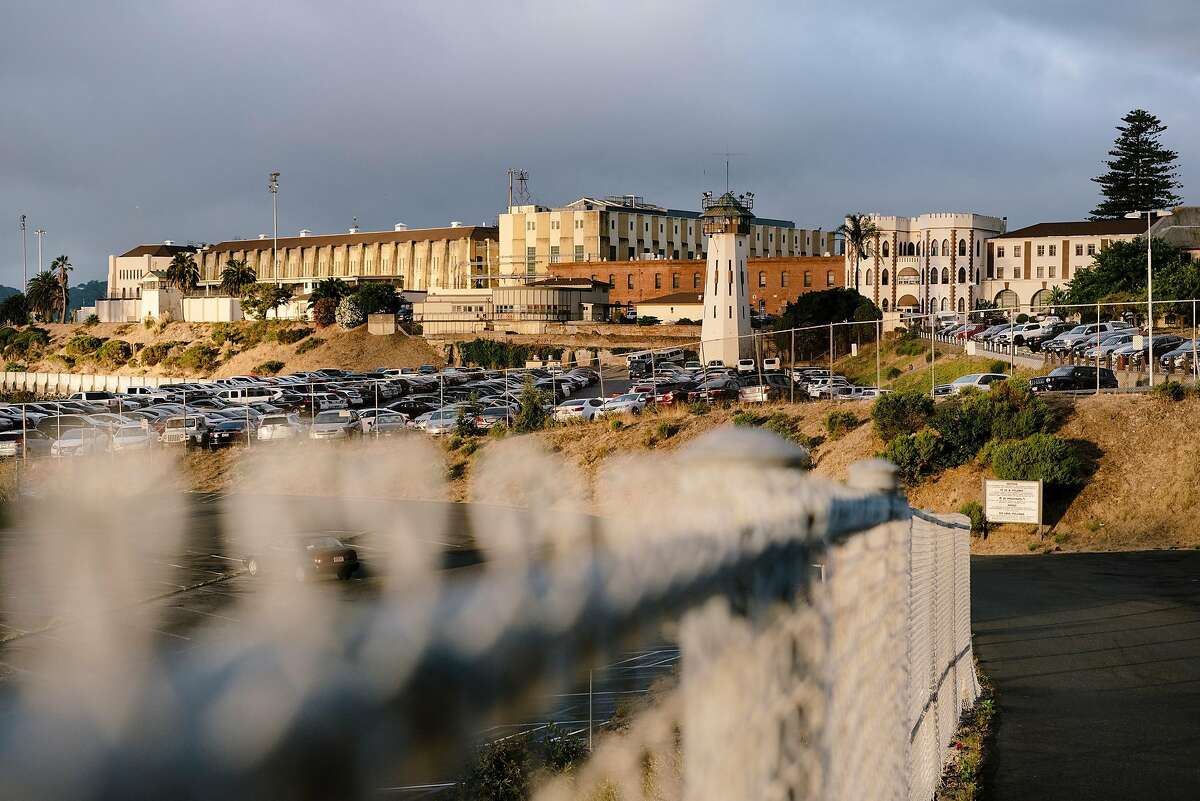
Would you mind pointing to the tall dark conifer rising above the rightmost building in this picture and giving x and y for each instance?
(1142, 173)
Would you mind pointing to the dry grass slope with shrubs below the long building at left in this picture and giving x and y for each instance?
(202, 351)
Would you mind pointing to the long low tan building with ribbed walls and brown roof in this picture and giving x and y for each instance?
(457, 257)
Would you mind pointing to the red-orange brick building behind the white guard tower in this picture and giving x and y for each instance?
(773, 281)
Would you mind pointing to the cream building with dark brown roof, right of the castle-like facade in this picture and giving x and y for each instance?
(1025, 266)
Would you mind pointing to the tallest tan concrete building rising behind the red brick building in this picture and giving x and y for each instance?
(626, 230)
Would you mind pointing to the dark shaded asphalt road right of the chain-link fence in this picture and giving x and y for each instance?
(1096, 659)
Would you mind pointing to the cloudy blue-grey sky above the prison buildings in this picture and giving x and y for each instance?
(130, 123)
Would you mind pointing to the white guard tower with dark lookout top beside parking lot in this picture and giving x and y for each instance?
(727, 328)
